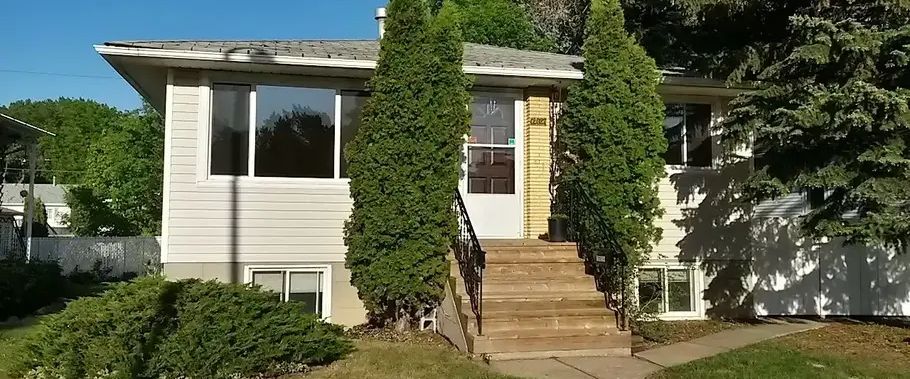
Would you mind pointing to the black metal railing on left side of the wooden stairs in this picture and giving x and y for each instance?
(471, 259)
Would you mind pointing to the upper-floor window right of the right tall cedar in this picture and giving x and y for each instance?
(688, 131)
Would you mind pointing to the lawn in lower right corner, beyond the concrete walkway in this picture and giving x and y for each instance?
(840, 350)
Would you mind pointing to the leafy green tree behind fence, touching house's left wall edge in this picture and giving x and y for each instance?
(120, 193)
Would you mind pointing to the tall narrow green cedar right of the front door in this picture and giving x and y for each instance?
(611, 138)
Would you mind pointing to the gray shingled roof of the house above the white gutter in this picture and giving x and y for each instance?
(366, 50)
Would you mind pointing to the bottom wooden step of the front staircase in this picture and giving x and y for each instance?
(547, 343)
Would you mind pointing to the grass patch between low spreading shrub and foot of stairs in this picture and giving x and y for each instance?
(418, 360)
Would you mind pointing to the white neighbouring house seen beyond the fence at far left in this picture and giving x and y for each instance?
(53, 197)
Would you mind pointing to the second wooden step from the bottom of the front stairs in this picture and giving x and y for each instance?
(572, 324)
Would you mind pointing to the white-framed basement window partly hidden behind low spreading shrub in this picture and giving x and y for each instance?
(308, 286)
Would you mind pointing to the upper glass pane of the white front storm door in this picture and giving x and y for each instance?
(492, 120)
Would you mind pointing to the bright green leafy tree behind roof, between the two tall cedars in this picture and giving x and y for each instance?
(499, 23)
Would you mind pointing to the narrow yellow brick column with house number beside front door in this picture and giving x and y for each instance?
(537, 161)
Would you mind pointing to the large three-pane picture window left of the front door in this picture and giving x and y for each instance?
(282, 131)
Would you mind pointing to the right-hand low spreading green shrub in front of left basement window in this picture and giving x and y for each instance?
(226, 328)
